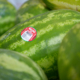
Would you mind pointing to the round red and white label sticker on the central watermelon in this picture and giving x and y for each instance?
(28, 34)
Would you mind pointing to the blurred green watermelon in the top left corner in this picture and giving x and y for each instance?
(7, 16)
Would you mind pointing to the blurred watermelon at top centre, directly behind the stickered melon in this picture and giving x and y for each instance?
(30, 9)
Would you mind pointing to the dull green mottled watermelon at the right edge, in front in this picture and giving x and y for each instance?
(69, 55)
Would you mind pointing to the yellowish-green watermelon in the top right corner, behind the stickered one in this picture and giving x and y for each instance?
(63, 4)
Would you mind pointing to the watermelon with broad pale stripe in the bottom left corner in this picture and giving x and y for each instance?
(15, 66)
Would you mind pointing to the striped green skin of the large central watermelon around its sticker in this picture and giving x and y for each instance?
(51, 27)
